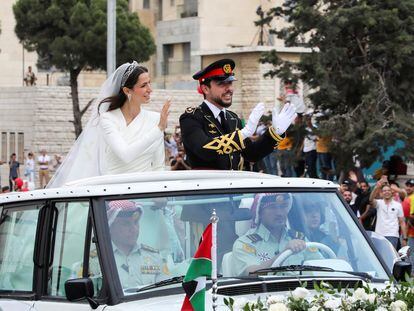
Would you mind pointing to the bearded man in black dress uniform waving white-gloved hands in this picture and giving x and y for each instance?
(214, 137)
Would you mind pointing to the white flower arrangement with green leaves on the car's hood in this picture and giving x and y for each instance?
(394, 297)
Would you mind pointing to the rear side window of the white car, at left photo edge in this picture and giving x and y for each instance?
(17, 240)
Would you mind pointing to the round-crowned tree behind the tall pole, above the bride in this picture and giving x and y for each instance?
(71, 35)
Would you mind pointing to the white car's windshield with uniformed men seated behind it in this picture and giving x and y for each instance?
(154, 239)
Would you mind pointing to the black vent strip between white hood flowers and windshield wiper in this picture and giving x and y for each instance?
(280, 286)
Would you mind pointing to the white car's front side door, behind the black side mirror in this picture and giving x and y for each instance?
(71, 246)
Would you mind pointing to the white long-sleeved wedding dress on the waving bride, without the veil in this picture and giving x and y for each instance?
(136, 147)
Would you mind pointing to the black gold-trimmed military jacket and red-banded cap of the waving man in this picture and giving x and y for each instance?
(211, 145)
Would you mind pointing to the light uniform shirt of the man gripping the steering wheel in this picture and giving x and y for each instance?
(259, 245)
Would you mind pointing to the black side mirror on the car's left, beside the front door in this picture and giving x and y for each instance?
(79, 289)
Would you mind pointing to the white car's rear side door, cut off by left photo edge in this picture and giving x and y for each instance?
(18, 227)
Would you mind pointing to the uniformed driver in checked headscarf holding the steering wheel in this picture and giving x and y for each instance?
(260, 247)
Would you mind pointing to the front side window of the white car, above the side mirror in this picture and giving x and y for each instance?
(69, 247)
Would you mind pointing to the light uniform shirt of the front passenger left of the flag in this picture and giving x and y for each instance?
(143, 265)
